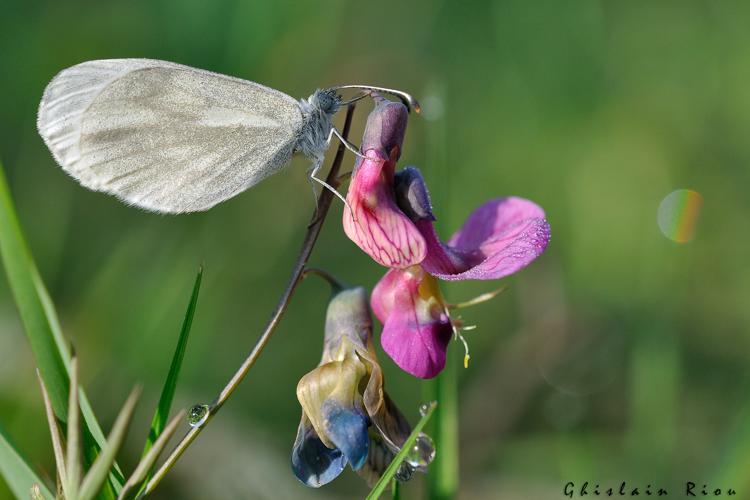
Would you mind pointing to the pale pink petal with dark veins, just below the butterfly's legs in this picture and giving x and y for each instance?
(375, 223)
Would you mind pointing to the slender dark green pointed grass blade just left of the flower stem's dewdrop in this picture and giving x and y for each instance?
(167, 393)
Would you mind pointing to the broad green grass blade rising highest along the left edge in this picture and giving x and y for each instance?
(50, 350)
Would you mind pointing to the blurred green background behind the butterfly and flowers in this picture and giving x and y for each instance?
(619, 355)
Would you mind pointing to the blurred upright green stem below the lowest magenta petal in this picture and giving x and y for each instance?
(442, 478)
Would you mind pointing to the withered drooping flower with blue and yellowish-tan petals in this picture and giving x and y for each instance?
(347, 417)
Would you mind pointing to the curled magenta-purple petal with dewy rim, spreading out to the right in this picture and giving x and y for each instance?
(499, 238)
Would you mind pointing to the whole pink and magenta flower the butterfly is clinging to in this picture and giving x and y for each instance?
(499, 238)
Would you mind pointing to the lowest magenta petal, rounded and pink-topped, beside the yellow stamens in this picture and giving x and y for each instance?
(416, 330)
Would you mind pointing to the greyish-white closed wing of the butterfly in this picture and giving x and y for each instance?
(163, 136)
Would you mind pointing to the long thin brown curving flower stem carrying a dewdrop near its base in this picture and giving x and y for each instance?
(311, 236)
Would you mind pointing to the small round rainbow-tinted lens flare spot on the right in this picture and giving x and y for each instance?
(678, 214)
